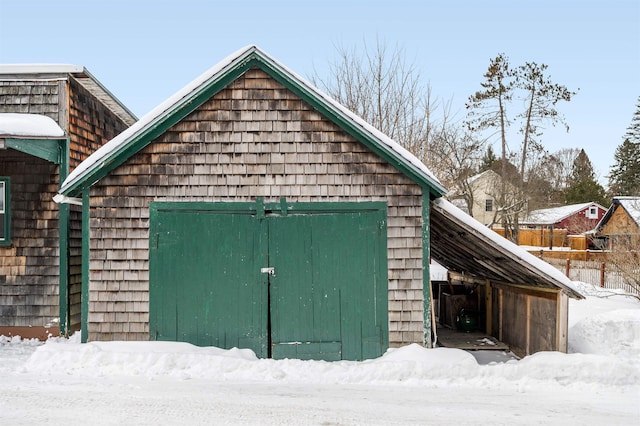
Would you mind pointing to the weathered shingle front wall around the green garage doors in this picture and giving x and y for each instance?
(253, 139)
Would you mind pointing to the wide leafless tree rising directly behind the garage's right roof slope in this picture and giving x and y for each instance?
(378, 84)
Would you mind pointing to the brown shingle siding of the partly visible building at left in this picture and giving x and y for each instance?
(30, 267)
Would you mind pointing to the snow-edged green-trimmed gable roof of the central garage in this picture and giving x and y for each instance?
(119, 149)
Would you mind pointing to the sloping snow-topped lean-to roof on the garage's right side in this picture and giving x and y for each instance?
(462, 244)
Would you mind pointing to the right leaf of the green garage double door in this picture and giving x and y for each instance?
(329, 290)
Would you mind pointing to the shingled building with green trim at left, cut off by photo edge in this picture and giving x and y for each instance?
(51, 118)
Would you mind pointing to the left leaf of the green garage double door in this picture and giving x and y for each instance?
(205, 282)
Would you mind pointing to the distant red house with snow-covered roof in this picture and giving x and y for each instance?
(575, 218)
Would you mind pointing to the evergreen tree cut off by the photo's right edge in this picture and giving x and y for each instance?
(624, 178)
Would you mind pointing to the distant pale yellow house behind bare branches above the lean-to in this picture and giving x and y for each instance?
(481, 198)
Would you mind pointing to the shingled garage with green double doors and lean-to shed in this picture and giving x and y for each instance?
(250, 210)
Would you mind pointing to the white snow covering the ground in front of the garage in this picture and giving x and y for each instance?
(159, 383)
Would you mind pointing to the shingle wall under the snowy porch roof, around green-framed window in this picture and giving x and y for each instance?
(29, 269)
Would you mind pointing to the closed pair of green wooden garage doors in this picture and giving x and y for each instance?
(287, 280)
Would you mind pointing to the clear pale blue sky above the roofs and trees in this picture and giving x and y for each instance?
(143, 51)
